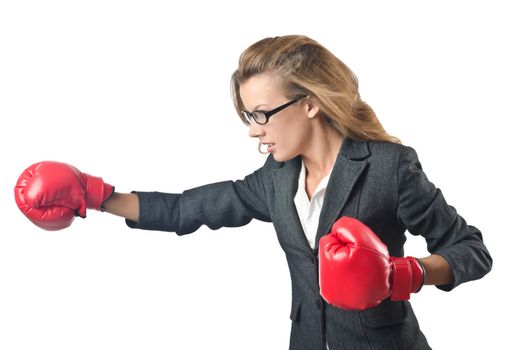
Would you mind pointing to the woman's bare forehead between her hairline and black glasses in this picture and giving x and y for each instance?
(261, 89)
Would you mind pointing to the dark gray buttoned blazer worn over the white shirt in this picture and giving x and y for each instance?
(380, 183)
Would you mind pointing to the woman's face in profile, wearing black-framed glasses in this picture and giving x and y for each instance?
(289, 130)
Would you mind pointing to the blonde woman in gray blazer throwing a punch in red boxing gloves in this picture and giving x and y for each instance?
(329, 158)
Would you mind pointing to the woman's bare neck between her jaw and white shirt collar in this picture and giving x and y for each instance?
(321, 153)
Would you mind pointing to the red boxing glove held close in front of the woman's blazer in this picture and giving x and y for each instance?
(356, 271)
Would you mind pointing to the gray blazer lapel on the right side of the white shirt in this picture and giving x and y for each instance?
(350, 164)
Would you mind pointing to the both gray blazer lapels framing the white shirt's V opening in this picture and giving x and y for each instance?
(350, 163)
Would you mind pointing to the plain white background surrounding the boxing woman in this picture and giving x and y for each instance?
(138, 92)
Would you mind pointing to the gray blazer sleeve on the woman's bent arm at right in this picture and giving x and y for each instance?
(423, 210)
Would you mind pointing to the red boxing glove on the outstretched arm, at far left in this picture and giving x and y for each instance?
(51, 194)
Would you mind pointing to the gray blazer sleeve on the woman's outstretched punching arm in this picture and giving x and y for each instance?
(221, 204)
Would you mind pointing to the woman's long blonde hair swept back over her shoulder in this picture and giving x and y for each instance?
(309, 69)
